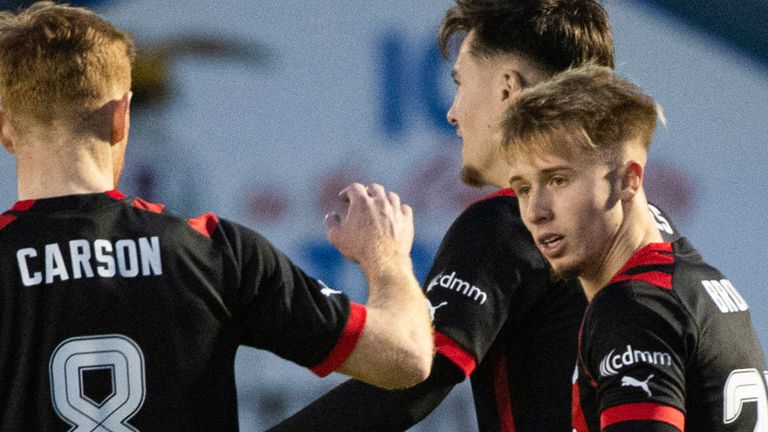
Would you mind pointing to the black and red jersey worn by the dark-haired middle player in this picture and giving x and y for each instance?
(505, 321)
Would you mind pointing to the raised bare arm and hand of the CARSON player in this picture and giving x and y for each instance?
(396, 347)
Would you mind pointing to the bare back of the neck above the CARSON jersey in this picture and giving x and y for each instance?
(63, 167)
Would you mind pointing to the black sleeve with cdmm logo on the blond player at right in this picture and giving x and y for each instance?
(636, 344)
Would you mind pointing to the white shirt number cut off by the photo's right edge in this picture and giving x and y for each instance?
(746, 385)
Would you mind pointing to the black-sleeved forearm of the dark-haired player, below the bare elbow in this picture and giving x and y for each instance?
(355, 406)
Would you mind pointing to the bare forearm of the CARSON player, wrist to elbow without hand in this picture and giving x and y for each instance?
(396, 347)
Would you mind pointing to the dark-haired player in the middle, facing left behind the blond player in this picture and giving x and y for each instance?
(499, 317)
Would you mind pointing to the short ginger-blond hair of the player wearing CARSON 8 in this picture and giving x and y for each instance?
(57, 63)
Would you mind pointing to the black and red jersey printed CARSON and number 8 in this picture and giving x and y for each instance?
(115, 315)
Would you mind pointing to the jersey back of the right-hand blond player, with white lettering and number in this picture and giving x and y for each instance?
(725, 377)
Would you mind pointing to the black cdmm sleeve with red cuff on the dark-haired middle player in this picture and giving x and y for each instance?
(473, 284)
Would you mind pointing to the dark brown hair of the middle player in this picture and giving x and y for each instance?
(556, 34)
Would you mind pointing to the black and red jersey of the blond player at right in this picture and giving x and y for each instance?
(669, 345)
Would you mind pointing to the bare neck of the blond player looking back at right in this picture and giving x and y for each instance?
(637, 230)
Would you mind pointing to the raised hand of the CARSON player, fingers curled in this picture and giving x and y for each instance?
(376, 229)
